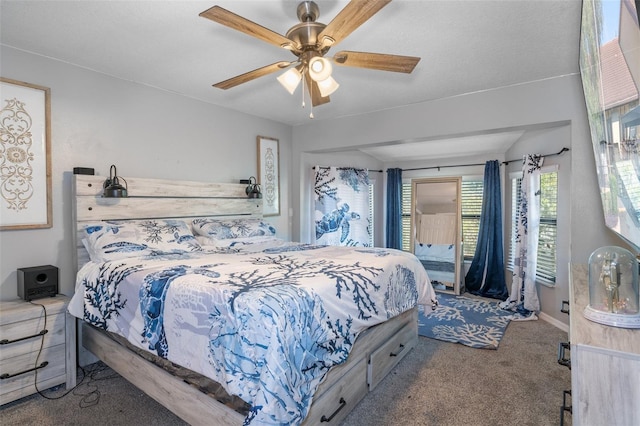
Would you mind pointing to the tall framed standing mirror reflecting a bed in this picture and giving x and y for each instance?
(436, 230)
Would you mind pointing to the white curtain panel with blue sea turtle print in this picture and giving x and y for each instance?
(342, 206)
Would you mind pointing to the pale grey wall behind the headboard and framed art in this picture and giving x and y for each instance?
(98, 120)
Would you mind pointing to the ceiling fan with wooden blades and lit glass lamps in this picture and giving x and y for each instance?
(310, 41)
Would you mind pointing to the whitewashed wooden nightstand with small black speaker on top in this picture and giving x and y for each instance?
(22, 327)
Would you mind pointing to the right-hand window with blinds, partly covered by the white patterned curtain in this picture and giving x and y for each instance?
(546, 267)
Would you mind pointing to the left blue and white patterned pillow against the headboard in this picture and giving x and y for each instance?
(112, 240)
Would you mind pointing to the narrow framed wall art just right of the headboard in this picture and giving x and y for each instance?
(269, 174)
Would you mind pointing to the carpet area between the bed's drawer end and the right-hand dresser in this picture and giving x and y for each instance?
(441, 383)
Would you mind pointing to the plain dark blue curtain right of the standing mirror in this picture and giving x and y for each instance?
(486, 273)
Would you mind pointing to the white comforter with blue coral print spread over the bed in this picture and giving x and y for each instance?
(267, 321)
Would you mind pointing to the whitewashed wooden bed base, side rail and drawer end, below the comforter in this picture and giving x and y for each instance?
(344, 386)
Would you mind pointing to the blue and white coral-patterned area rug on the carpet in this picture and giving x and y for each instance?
(474, 322)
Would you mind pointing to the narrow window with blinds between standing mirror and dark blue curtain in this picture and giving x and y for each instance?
(471, 212)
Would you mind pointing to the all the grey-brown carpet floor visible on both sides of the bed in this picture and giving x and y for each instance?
(438, 383)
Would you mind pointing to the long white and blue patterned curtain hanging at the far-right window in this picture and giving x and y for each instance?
(524, 293)
